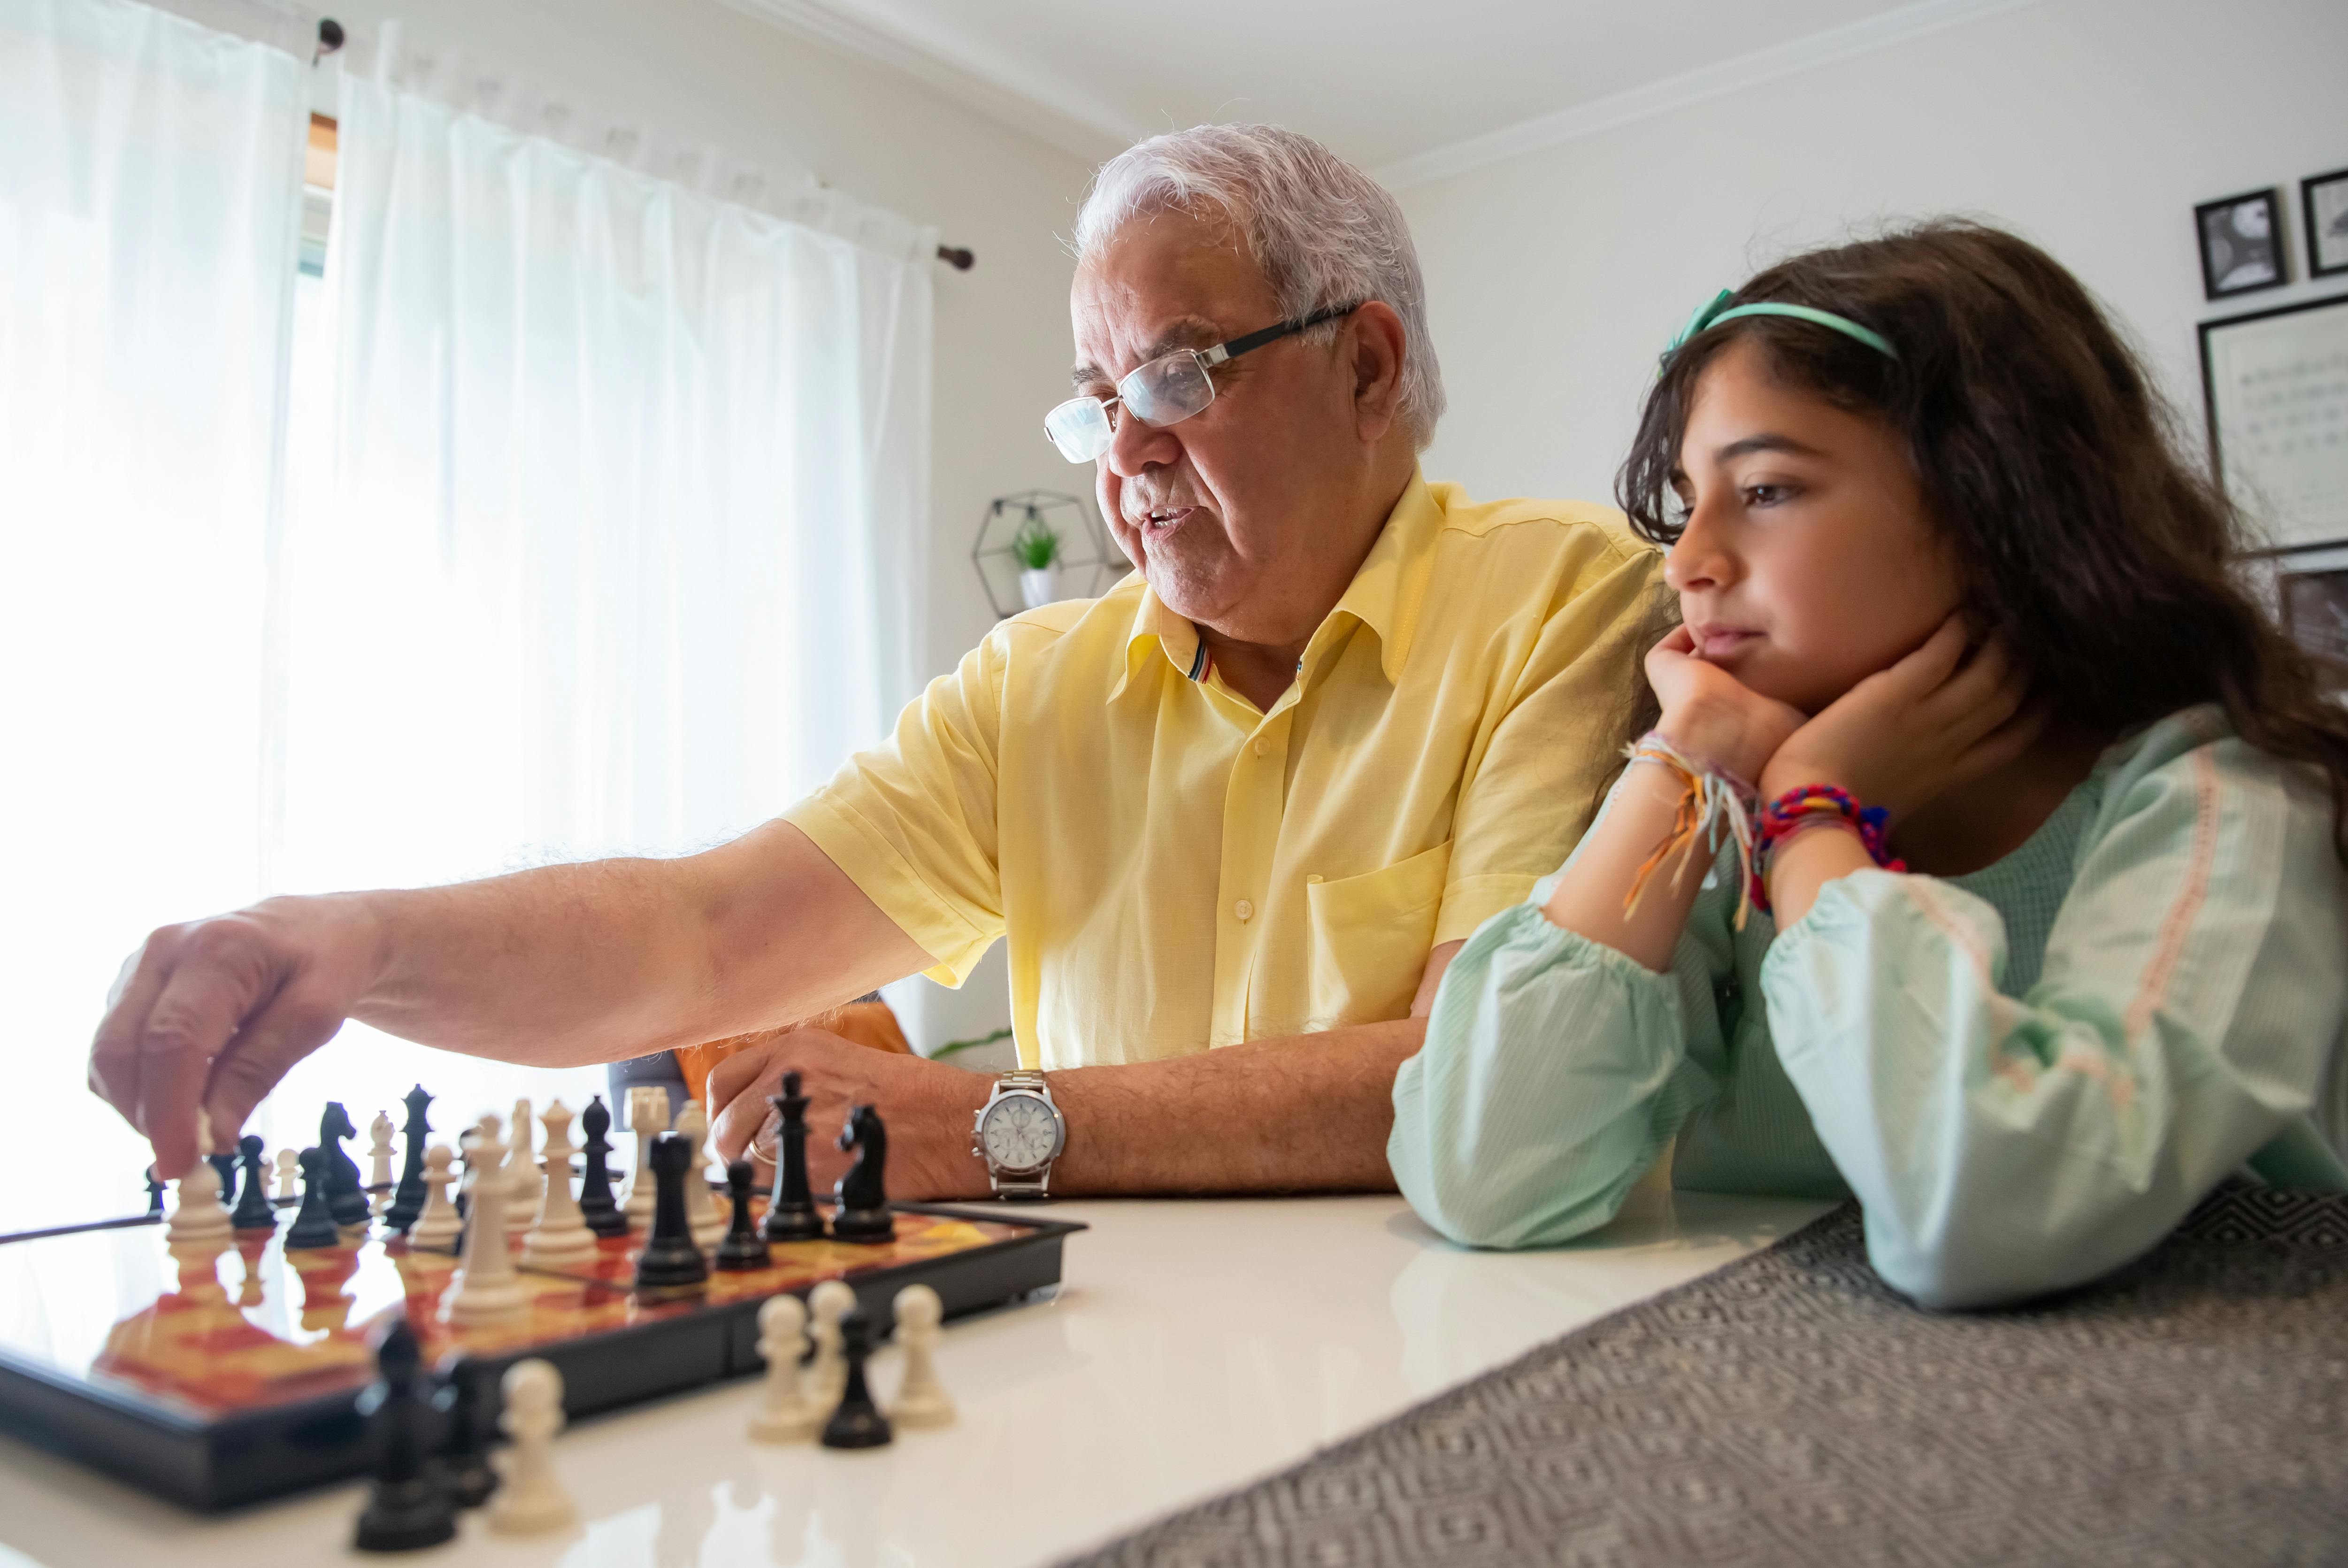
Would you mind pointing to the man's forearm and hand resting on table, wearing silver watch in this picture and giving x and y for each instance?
(1307, 1114)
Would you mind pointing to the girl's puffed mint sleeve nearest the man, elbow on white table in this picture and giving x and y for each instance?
(1556, 1072)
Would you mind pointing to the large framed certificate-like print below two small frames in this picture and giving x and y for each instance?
(2276, 386)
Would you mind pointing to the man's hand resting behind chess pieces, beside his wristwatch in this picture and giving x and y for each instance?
(929, 1109)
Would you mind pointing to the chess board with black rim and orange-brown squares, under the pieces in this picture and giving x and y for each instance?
(224, 1377)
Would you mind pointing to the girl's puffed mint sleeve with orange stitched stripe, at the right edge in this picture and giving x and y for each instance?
(2187, 1018)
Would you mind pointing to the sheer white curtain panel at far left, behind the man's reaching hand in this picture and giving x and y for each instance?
(149, 227)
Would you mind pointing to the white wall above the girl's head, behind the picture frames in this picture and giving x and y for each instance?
(2089, 126)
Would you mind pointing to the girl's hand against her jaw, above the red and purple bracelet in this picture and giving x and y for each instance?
(1915, 731)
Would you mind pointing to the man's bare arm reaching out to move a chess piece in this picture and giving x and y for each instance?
(546, 968)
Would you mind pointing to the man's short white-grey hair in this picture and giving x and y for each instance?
(1323, 231)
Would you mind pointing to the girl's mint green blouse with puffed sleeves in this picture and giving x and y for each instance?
(2027, 1074)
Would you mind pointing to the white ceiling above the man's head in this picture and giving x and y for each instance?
(1403, 88)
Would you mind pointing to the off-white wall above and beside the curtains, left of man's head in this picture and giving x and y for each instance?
(701, 72)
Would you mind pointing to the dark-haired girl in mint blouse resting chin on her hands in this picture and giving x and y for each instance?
(2051, 921)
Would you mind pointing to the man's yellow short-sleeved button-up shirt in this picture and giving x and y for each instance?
(1178, 870)
